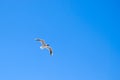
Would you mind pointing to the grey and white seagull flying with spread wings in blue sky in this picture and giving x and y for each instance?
(45, 46)
